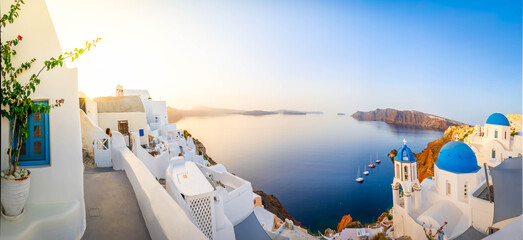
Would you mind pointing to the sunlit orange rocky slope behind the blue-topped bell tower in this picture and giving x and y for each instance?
(429, 155)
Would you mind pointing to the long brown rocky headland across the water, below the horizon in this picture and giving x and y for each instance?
(407, 118)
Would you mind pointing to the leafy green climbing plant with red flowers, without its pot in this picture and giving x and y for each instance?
(16, 96)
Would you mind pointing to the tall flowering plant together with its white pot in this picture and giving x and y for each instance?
(16, 107)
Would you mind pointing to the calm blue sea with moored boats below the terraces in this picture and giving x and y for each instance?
(310, 162)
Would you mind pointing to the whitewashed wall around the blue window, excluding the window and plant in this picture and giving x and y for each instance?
(62, 180)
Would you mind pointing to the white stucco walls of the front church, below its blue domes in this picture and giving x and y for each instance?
(440, 200)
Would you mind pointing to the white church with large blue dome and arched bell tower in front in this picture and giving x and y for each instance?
(450, 199)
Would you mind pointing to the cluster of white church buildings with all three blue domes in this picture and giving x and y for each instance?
(457, 197)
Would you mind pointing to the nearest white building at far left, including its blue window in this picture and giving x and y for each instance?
(55, 208)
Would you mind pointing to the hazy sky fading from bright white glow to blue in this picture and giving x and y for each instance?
(457, 59)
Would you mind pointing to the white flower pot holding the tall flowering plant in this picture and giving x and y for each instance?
(14, 194)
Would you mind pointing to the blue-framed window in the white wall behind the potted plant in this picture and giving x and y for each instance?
(35, 149)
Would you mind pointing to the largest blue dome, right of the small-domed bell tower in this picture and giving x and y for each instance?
(457, 157)
